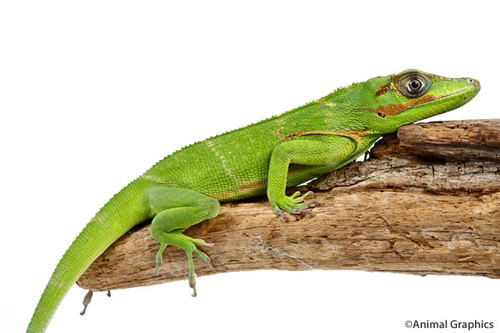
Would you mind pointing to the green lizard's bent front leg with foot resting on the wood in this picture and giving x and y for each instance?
(330, 151)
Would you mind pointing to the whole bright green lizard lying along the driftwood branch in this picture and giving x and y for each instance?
(186, 187)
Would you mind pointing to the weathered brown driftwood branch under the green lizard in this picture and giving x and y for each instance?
(428, 203)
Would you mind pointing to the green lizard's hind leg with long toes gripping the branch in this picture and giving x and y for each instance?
(175, 210)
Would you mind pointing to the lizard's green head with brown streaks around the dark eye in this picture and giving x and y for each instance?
(413, 95)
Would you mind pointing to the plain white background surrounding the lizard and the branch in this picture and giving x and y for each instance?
(92, 93)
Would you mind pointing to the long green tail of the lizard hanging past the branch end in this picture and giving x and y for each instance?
(122, 212)
